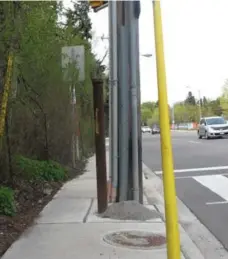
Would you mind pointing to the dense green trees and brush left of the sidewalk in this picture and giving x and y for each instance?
(39, 114)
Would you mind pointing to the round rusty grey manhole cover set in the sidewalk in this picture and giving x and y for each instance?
(136, 239)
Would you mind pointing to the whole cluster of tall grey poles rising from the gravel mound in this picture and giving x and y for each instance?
(124, 103)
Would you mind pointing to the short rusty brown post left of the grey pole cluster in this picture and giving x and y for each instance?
(98, 102)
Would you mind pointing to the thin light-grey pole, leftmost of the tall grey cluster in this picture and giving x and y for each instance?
(113, 102)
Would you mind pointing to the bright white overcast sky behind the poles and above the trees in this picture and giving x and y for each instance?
(195, 46)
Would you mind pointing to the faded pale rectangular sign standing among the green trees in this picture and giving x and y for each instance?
(71, 54)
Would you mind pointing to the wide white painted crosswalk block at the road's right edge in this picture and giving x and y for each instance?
(216, 183)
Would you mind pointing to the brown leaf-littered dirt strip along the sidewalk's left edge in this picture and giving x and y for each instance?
(30, 198)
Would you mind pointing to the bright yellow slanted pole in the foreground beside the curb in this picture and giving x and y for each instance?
(172, 227)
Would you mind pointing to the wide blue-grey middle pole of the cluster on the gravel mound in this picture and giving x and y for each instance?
(123, 104)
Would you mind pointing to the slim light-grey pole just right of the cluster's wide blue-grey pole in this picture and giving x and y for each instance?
(134, 52)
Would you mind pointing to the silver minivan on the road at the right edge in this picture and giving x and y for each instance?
(212, 127)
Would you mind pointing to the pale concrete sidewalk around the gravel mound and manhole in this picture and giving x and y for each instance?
(68, 227)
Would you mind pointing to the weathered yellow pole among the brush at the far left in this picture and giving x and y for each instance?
(5, 94)
